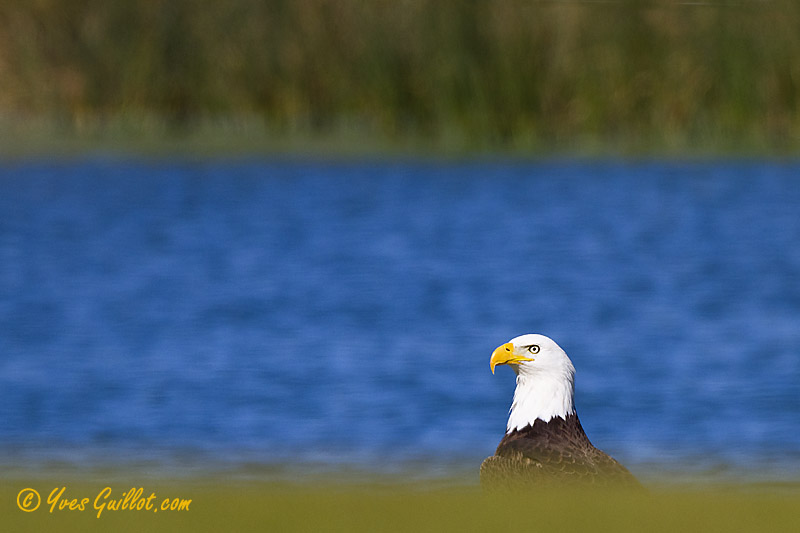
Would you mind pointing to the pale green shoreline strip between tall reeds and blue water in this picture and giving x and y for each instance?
(44, 138)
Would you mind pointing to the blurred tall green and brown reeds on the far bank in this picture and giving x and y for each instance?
(516, 75)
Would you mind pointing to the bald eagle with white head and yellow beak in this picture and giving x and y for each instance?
(544, 442)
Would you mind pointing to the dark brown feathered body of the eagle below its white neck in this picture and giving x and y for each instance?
(549, 453)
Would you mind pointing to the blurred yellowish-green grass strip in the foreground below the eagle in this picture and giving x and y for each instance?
(219, 505)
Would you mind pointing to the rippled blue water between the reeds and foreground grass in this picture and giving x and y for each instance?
(258, 314)
